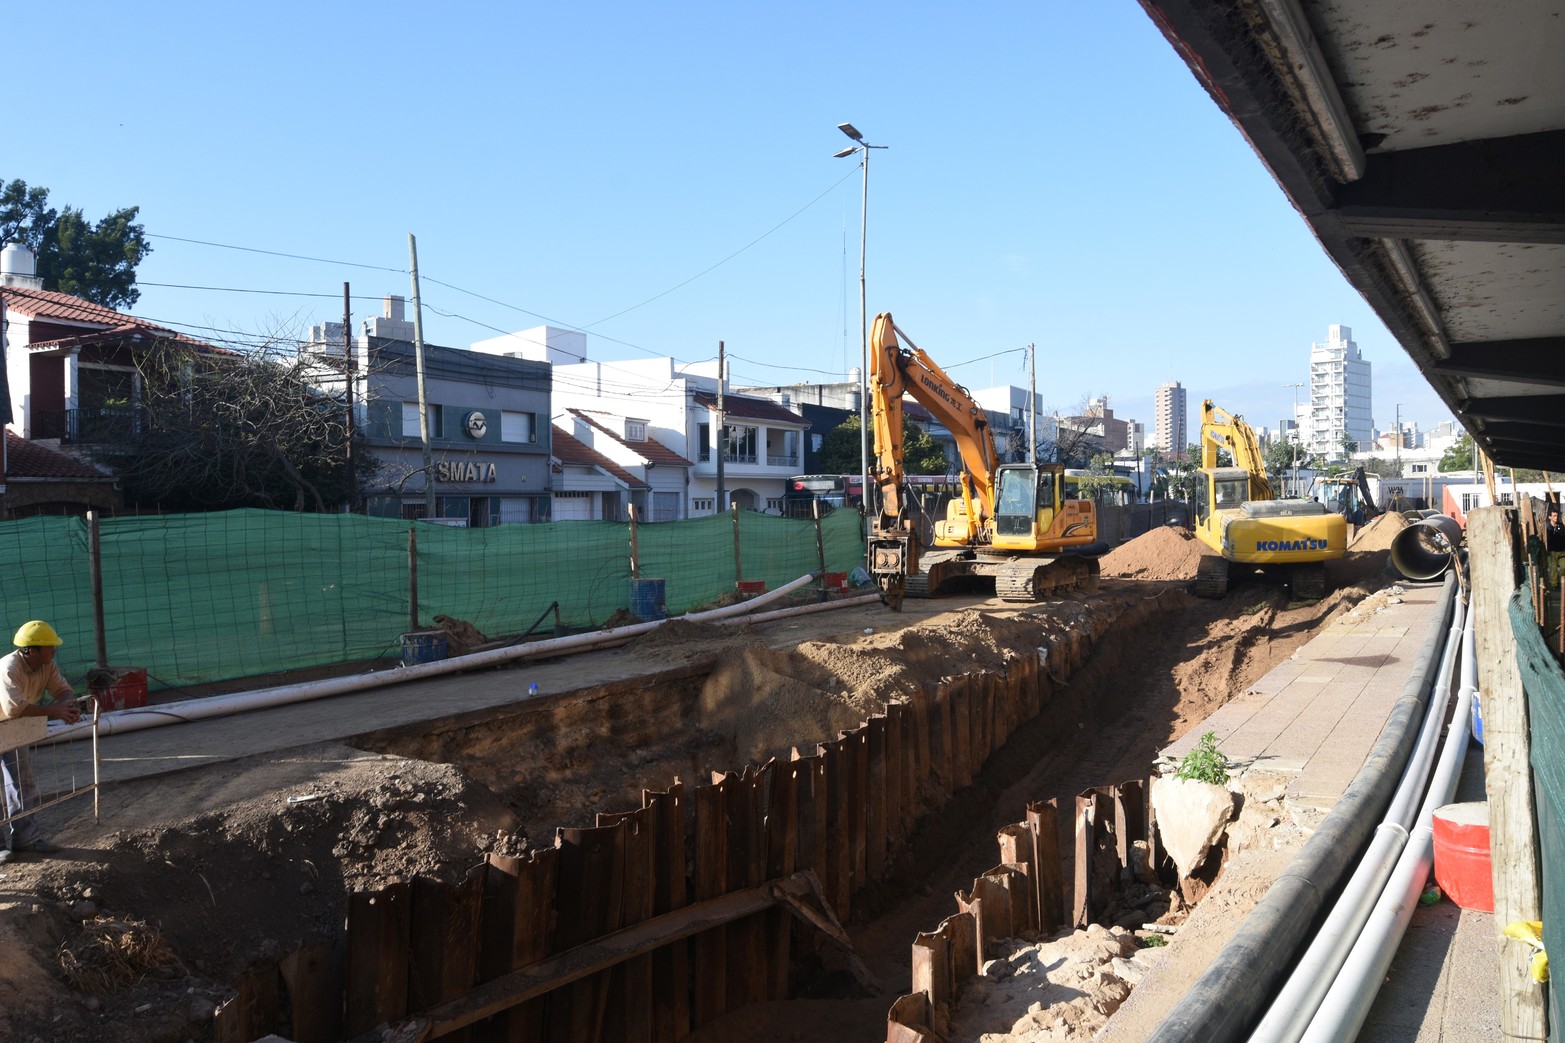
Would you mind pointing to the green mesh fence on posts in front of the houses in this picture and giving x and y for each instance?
(210, 597)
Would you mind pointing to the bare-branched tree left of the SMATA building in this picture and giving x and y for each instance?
(223, 430)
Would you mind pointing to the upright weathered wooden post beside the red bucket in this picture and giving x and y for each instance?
(1508, 774)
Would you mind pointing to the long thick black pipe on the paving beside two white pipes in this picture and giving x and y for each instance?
(1229, 998)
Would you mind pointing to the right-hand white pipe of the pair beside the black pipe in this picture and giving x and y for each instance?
(1353, 994)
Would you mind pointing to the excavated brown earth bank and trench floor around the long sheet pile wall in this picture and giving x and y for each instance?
(1132, 668)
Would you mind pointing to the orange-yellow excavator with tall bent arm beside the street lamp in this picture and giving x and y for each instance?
(1012, 524)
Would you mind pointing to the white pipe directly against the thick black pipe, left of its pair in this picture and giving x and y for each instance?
(1298, 1001)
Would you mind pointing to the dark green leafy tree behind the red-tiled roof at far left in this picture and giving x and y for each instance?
(92, 261)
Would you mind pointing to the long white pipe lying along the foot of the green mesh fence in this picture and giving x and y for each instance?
(123, 721)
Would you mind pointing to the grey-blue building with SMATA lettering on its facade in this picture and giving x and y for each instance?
(487, 416)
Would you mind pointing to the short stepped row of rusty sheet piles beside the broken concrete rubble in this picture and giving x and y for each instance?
(1024, 893)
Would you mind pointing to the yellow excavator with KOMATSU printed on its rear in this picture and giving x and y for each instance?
(1242, 521)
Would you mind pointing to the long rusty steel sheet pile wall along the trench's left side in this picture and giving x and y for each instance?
(622, 942)
